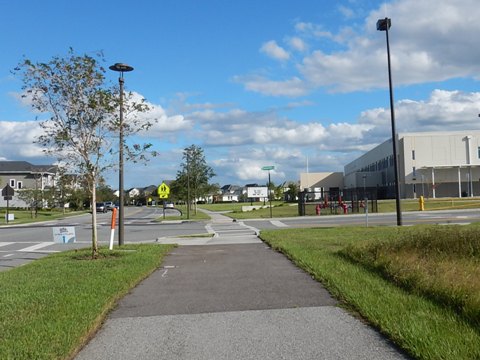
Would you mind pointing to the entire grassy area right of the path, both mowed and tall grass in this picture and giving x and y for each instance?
(417, 285)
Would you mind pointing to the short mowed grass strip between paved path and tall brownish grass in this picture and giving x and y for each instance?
(423, 326)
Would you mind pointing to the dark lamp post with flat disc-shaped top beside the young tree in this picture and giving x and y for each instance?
(120, 68)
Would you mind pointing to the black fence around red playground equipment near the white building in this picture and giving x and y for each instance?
(335, 202)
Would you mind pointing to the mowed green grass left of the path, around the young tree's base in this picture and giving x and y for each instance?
(50, 307)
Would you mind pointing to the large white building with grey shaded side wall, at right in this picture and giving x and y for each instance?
(433, 164)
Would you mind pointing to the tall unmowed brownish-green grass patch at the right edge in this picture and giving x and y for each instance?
(441, 263)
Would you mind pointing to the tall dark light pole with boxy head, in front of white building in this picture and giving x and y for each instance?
(384, 25)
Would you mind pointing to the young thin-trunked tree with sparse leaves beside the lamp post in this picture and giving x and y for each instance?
(83, 116)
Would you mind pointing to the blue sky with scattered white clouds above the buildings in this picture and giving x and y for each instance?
(301, 85)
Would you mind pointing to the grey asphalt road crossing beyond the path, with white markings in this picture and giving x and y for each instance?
(21, 244)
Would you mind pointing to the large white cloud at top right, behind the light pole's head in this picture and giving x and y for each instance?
(429, 41)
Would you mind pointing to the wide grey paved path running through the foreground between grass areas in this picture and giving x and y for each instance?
(237, 300)
